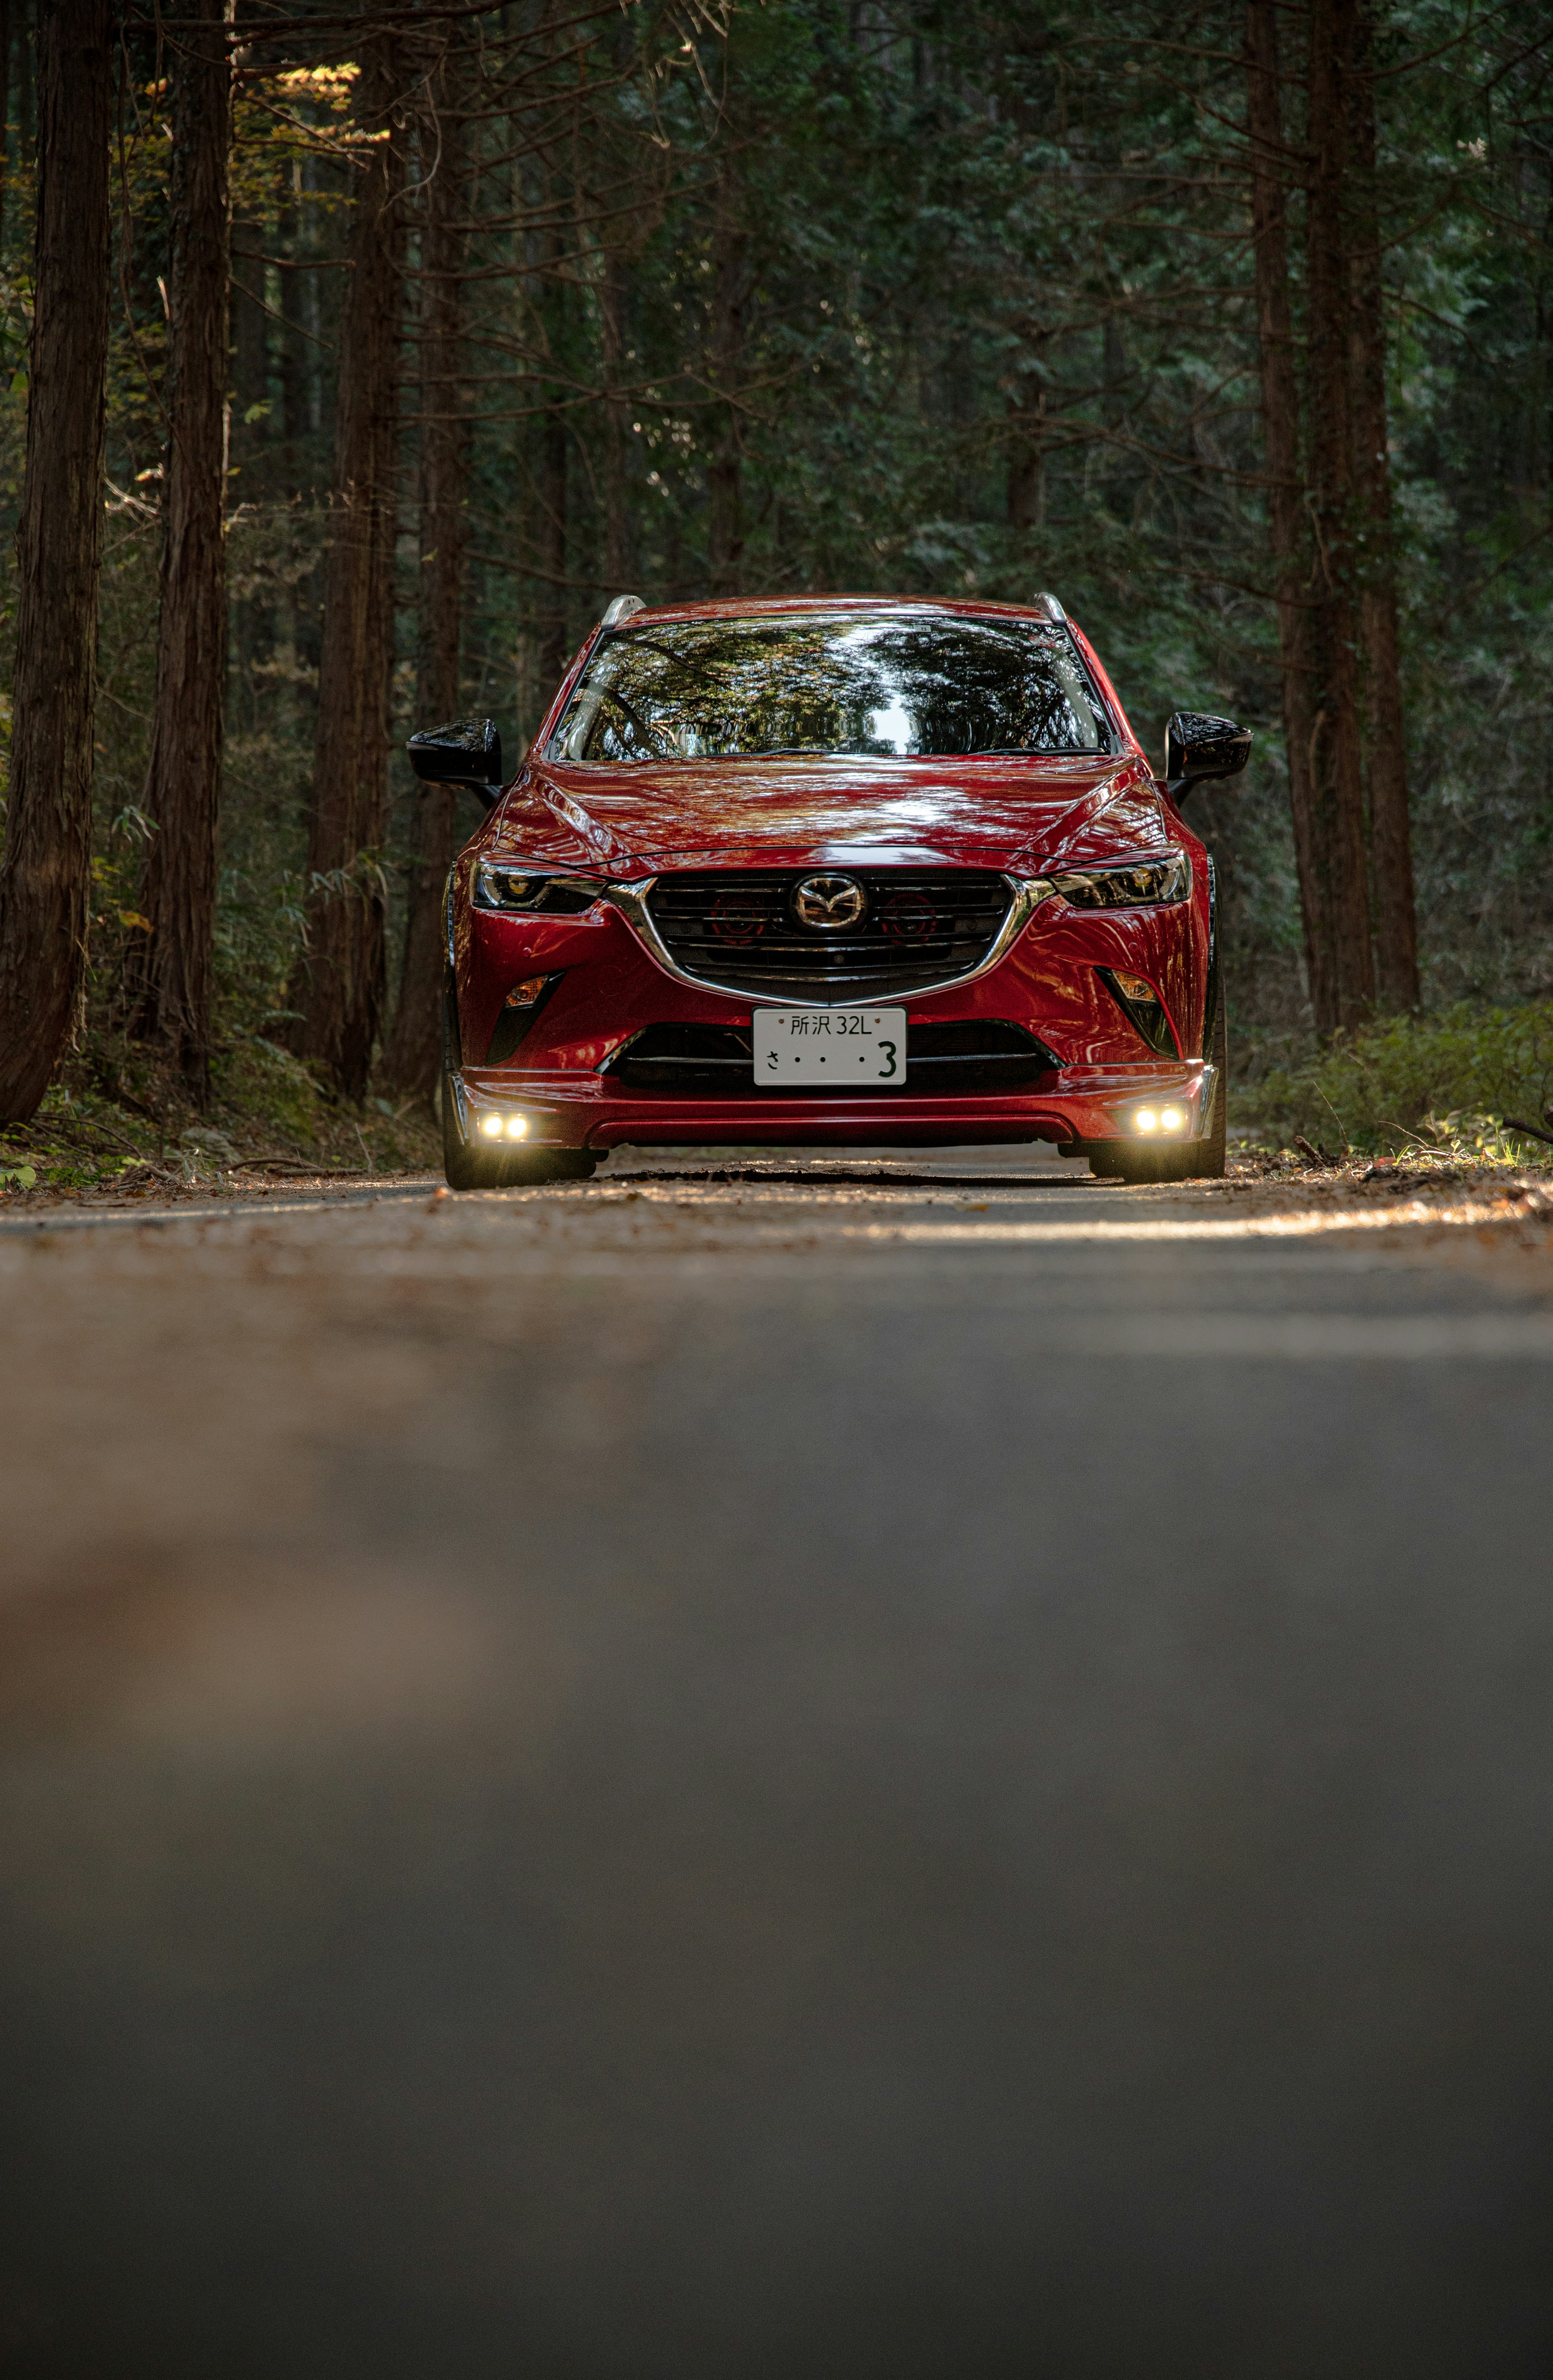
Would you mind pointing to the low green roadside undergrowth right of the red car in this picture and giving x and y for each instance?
(1440, 1082)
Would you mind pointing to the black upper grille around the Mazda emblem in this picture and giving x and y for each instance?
(918, 927)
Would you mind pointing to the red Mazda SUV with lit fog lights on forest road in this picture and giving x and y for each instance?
(832, 872)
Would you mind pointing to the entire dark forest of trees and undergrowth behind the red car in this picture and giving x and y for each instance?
(356, 358)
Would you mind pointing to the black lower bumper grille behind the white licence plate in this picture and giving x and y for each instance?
(718, 1063)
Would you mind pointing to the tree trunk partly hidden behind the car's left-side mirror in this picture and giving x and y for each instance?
(413, 1056)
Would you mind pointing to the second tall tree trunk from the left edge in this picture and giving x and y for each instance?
(185, 775)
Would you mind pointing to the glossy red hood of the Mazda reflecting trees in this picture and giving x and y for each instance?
(1025, 815)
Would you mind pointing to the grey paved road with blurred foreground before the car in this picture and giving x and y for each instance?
(778, 1781)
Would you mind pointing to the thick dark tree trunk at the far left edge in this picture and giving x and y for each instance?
(46, 865)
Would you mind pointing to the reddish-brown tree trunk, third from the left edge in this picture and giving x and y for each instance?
(344, 970)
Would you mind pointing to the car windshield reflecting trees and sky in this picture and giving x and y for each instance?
(885, 687)
